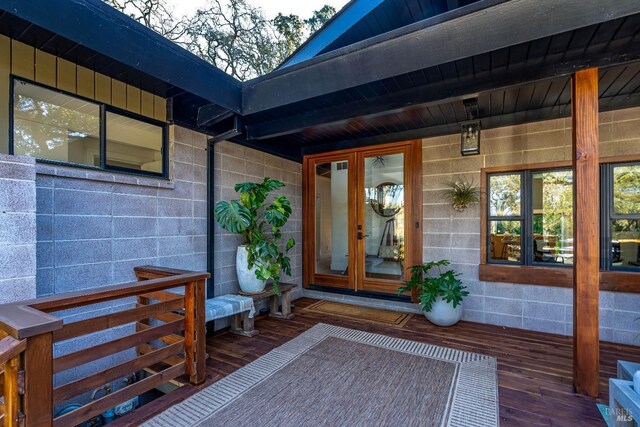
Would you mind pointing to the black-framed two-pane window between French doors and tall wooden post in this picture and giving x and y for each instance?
(530, 218)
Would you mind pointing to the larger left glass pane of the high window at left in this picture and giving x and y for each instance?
(50, 125)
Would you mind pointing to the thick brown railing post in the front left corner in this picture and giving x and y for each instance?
(38, 368)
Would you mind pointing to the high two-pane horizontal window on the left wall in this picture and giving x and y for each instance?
(59, 127)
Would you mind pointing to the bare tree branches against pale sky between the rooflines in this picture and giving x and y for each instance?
(233, 35)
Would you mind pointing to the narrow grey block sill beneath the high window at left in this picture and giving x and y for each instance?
(102, 176)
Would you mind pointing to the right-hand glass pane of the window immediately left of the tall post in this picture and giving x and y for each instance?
(553, 217)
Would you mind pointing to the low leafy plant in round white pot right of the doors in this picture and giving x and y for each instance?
(440, 293)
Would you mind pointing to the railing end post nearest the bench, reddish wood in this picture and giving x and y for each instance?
(194, 332)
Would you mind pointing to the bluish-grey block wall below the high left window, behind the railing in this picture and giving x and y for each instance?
(94, 227)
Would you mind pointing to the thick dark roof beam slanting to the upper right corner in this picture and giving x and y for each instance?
(428, 43)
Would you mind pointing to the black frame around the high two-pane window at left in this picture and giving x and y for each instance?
(102, 140)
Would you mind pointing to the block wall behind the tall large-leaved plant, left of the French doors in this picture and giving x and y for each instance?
(234, 164)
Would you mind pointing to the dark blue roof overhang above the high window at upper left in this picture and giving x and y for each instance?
(96, 30)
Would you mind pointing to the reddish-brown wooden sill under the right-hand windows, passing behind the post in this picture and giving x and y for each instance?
(617, 281)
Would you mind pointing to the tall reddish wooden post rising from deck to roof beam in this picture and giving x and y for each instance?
(586, 232)
